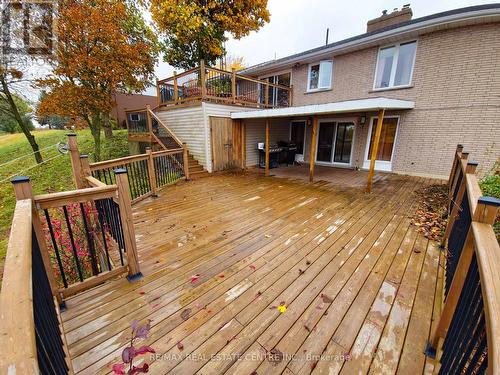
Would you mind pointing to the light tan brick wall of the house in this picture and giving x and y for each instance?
(456, 89)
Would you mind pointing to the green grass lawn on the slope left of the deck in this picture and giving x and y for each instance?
(53, 176)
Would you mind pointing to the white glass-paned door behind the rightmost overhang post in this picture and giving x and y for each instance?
(385, 151)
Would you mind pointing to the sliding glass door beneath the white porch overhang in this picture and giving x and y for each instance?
(335, 141)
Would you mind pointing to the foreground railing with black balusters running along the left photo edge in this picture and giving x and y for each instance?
(31, 332)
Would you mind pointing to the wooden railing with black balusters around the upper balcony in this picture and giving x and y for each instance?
(205, 83)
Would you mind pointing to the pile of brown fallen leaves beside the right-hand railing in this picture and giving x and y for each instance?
(431, 215)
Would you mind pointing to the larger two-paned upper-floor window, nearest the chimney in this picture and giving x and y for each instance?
(395, 65)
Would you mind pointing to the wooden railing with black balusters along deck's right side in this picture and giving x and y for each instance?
(467, 338)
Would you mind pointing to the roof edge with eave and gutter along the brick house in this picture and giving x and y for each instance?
(461, 16)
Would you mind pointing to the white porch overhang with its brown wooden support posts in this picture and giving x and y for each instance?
(377, 105)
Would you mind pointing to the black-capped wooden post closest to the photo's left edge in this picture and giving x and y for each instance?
(24, 190)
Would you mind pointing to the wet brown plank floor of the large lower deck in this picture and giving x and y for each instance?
(360, 287)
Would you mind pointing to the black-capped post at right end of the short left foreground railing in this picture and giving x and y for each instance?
(124, 202)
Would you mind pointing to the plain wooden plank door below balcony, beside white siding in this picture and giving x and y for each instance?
(226, 143)
